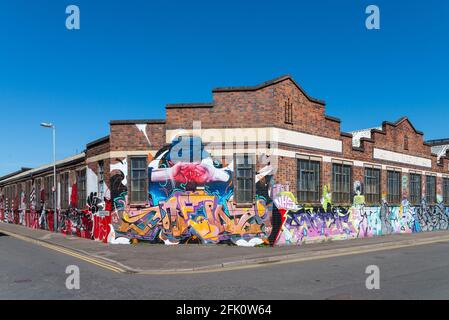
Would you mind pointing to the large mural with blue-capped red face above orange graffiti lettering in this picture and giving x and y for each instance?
(190, 199)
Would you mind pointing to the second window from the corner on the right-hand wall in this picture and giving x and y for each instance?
(341, 183)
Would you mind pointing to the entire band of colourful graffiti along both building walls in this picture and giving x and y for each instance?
(190, 198)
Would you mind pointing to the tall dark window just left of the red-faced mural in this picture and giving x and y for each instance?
(139, 176)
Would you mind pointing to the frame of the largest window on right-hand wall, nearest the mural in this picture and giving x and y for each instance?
(311, 196)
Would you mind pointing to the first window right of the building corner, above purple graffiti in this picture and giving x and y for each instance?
(308, 172)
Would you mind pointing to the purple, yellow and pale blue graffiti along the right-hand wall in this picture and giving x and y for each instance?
(302, 224)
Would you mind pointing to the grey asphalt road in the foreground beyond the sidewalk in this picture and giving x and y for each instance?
(28, 271)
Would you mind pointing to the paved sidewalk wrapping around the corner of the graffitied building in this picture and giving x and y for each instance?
(154, 259)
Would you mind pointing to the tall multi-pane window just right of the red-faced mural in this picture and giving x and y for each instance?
(245, 168)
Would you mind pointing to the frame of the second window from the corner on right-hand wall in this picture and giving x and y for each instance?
(341, 197)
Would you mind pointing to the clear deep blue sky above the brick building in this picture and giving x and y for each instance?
(131, 58)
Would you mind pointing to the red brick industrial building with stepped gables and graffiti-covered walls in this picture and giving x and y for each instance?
(261, 164)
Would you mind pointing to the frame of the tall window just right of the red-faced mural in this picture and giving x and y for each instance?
(251, 177)
